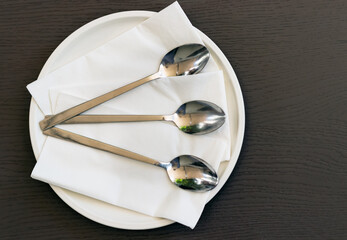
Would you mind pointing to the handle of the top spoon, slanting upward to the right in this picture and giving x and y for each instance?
(71, 112)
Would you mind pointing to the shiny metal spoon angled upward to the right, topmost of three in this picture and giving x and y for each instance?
(183, 60)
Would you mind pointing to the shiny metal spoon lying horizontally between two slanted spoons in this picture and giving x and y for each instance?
(195, 117)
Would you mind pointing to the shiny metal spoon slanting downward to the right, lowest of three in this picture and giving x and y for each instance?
(186, 171)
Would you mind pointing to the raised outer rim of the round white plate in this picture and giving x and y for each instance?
(157, 222)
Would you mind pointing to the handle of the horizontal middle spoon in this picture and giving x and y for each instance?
(112, 118)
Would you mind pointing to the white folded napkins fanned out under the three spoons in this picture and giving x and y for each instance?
(118, 180)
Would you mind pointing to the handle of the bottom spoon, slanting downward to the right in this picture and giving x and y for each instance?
(73, 137)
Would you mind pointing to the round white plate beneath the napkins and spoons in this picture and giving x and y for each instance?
(89, 37)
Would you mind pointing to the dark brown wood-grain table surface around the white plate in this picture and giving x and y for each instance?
(291, 61)
